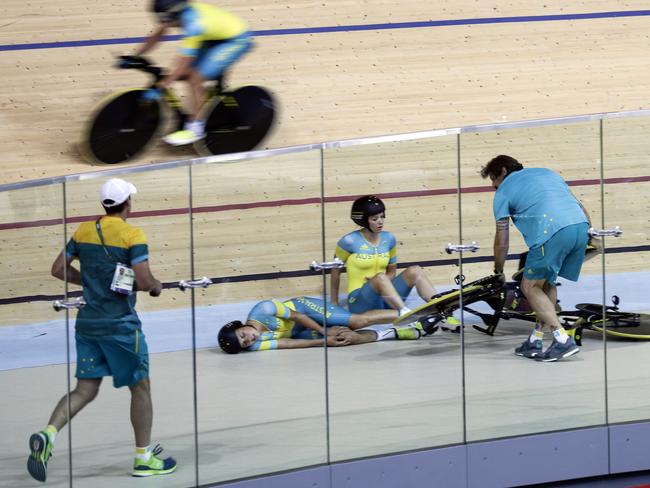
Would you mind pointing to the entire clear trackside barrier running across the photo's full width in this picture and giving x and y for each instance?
(257, 223)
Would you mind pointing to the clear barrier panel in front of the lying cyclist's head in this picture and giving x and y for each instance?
(258, 411)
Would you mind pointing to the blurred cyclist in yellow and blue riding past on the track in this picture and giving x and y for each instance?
(213, 39)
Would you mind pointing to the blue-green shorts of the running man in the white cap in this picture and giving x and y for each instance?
(125, 357)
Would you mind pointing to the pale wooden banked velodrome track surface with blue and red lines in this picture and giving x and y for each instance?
(331, 85)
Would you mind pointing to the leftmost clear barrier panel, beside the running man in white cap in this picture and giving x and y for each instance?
(33, 345)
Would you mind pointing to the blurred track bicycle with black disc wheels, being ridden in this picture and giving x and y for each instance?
(125, 122)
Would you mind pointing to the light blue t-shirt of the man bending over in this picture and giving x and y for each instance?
(539, 202)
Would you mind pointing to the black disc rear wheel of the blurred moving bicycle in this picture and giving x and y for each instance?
(237, 122)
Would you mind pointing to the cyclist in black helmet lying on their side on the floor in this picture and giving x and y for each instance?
(300, 322)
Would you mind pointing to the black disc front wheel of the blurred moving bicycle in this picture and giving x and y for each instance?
(121, 127)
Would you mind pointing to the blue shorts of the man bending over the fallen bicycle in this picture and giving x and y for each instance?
(562, 255)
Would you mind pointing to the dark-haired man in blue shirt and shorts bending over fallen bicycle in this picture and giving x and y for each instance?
(555, 227)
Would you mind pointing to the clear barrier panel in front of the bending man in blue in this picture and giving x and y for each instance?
(506, 394)
